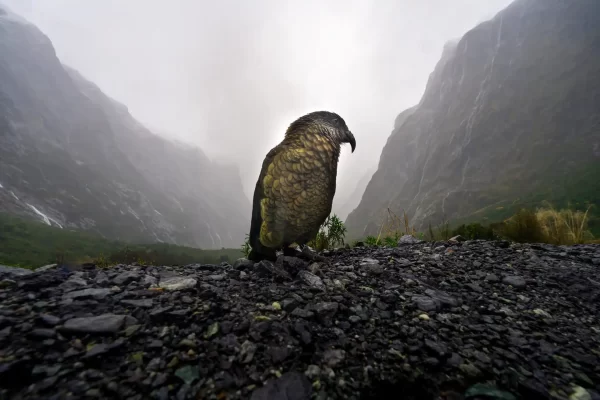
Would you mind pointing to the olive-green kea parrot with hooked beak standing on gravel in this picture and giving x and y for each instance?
(294, 191)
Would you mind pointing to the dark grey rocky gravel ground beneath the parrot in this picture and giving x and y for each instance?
(421, 321)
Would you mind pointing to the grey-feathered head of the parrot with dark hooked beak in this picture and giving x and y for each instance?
(325, 123)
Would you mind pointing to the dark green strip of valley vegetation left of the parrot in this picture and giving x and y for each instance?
(31, 244)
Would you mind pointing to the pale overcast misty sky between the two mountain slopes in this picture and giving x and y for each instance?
(229, 76)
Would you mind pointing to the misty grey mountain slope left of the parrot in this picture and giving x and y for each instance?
(75, 158)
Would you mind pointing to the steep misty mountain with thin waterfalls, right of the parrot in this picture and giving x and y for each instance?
(510, 116)
